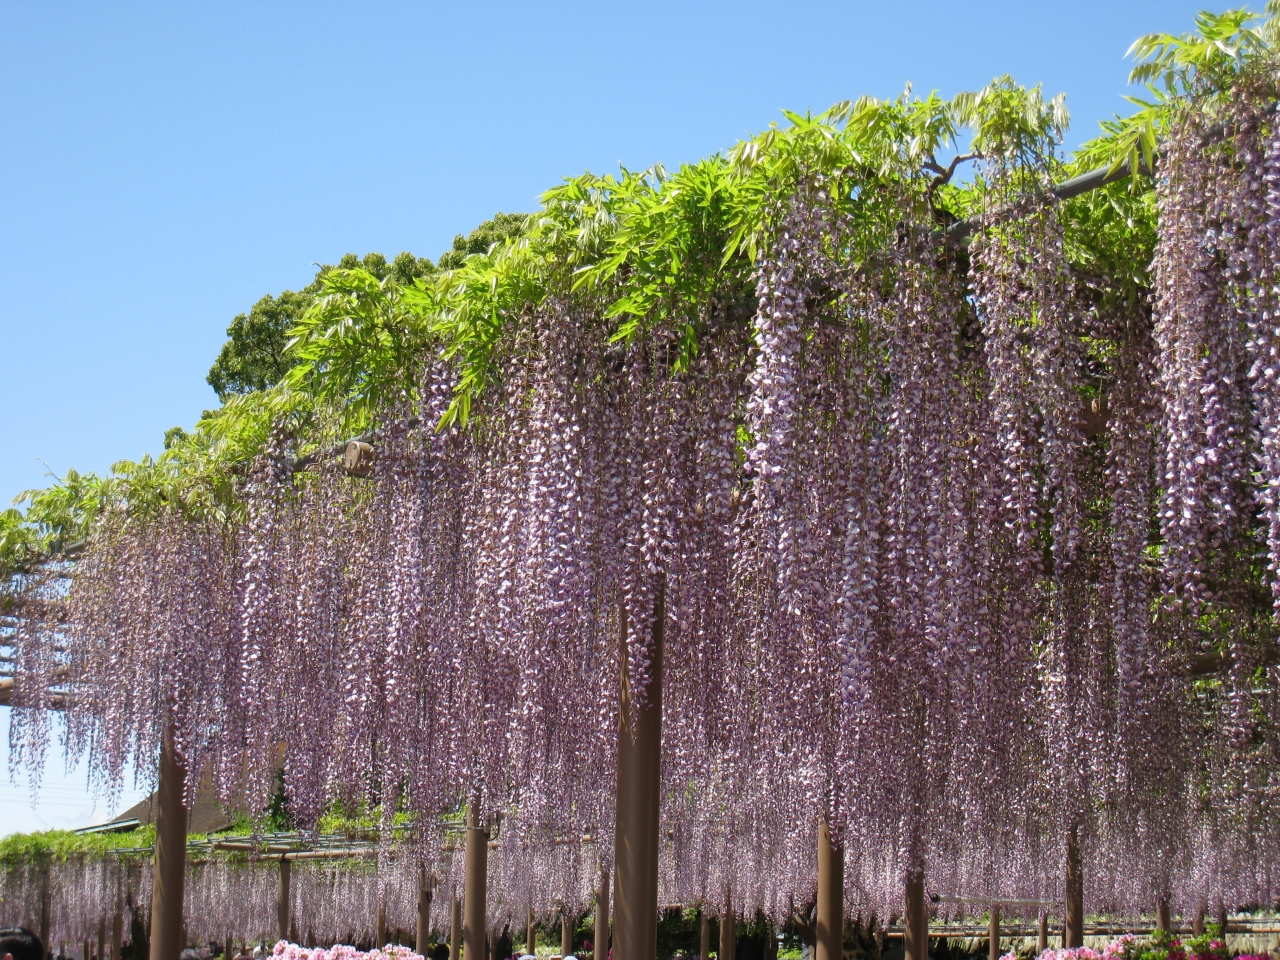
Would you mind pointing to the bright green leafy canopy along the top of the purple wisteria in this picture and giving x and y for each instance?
(660, 250)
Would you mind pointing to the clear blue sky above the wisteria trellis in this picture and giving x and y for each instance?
(164, 166)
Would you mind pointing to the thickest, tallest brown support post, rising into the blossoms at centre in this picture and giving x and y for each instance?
(636, 926)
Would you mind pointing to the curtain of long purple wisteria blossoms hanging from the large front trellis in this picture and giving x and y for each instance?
(938, 532)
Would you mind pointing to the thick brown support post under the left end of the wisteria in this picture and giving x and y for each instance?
(171, 857)
